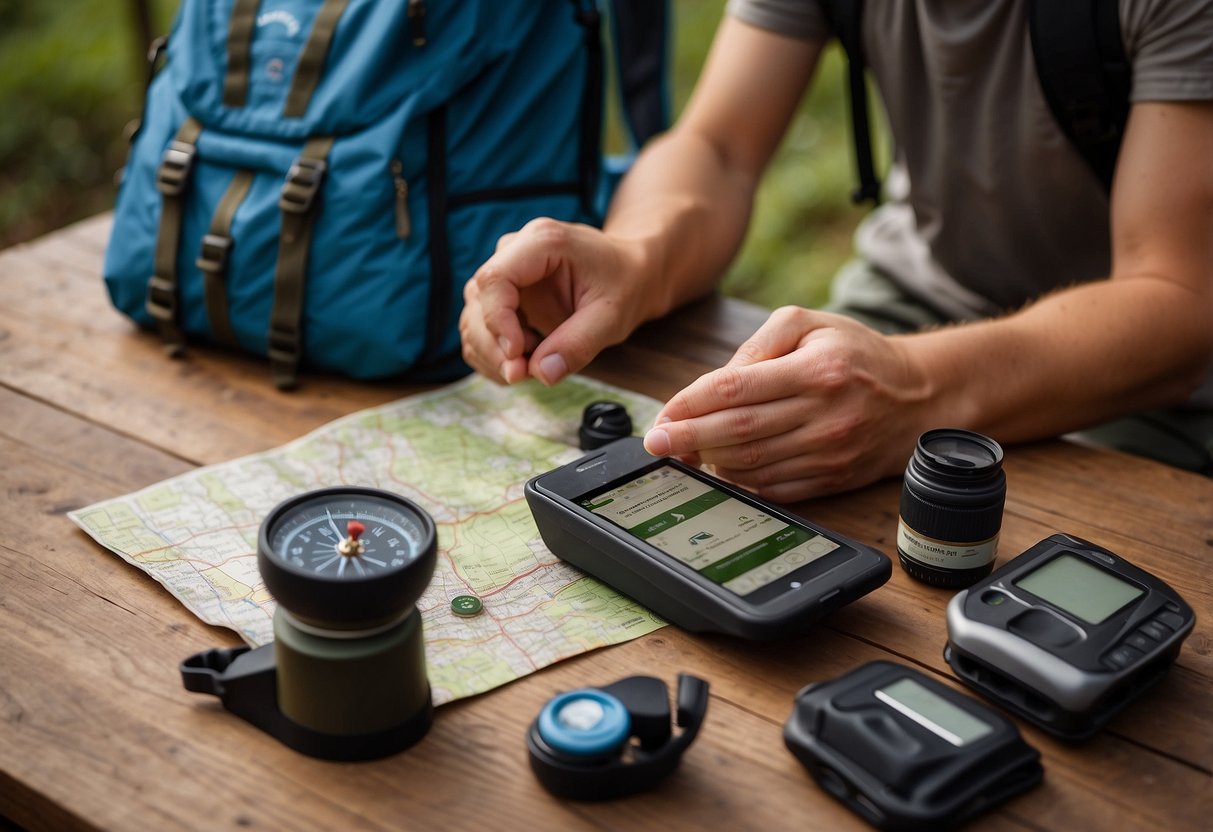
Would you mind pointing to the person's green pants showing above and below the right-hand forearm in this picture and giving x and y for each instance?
(1180, 437)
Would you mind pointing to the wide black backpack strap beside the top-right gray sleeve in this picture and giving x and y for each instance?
(1085, 75)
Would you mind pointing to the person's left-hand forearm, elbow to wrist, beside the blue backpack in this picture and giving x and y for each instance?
(687, 202)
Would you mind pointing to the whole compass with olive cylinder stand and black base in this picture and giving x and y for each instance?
(346, 675)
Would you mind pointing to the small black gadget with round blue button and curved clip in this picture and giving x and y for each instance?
(599, 744)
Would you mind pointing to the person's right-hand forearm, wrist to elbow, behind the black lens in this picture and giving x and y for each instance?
(1081, 356)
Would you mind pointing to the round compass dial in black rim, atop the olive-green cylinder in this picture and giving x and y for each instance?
(348, 559)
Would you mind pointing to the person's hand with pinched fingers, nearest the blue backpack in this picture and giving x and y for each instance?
(553, 298)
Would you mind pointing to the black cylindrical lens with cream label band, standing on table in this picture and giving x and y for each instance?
(952, 508)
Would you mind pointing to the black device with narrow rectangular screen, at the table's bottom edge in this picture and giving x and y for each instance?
(907, 753)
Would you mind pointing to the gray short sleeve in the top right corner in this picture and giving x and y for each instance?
(1171, 48)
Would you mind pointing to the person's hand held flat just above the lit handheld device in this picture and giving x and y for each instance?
(812, 404)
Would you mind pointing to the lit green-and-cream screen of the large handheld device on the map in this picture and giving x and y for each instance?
(726, 540)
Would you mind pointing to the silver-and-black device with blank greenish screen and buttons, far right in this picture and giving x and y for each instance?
(1067, 635)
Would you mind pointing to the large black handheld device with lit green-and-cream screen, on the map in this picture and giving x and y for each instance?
(697, 551)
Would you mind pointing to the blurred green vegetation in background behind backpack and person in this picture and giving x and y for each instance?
(72, 78)
